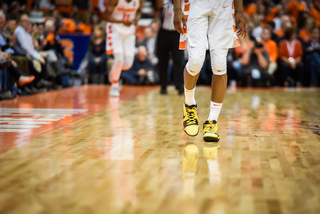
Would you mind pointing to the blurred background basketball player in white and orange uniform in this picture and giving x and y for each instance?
(122, 16)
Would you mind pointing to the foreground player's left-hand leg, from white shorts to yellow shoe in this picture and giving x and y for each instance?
(196, 44)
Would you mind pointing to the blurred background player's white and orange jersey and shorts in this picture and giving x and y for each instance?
(121, 38)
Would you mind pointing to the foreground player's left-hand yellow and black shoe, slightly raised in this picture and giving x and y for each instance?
(190, 120)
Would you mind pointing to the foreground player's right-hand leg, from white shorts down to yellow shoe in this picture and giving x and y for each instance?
(221, 37)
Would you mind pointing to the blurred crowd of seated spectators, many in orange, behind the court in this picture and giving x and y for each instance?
(281, 49)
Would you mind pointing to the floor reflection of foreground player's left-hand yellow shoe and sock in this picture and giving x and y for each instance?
(190, 155)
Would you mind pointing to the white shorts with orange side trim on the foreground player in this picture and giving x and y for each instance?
(210, 24)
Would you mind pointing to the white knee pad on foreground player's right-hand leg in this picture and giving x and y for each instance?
(219, 61)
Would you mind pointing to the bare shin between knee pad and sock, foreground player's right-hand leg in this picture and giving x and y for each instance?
(219, 87)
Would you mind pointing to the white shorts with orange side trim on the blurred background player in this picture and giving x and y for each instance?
(121, 40)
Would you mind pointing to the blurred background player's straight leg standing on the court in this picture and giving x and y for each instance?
(117, 65)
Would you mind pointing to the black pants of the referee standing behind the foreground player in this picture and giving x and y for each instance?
(168, 43)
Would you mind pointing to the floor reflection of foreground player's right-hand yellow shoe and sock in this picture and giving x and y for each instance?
(210, 151)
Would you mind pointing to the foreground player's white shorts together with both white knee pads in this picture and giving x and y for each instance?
(210, 25)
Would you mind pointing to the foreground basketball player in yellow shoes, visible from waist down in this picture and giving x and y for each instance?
(207, 24)
